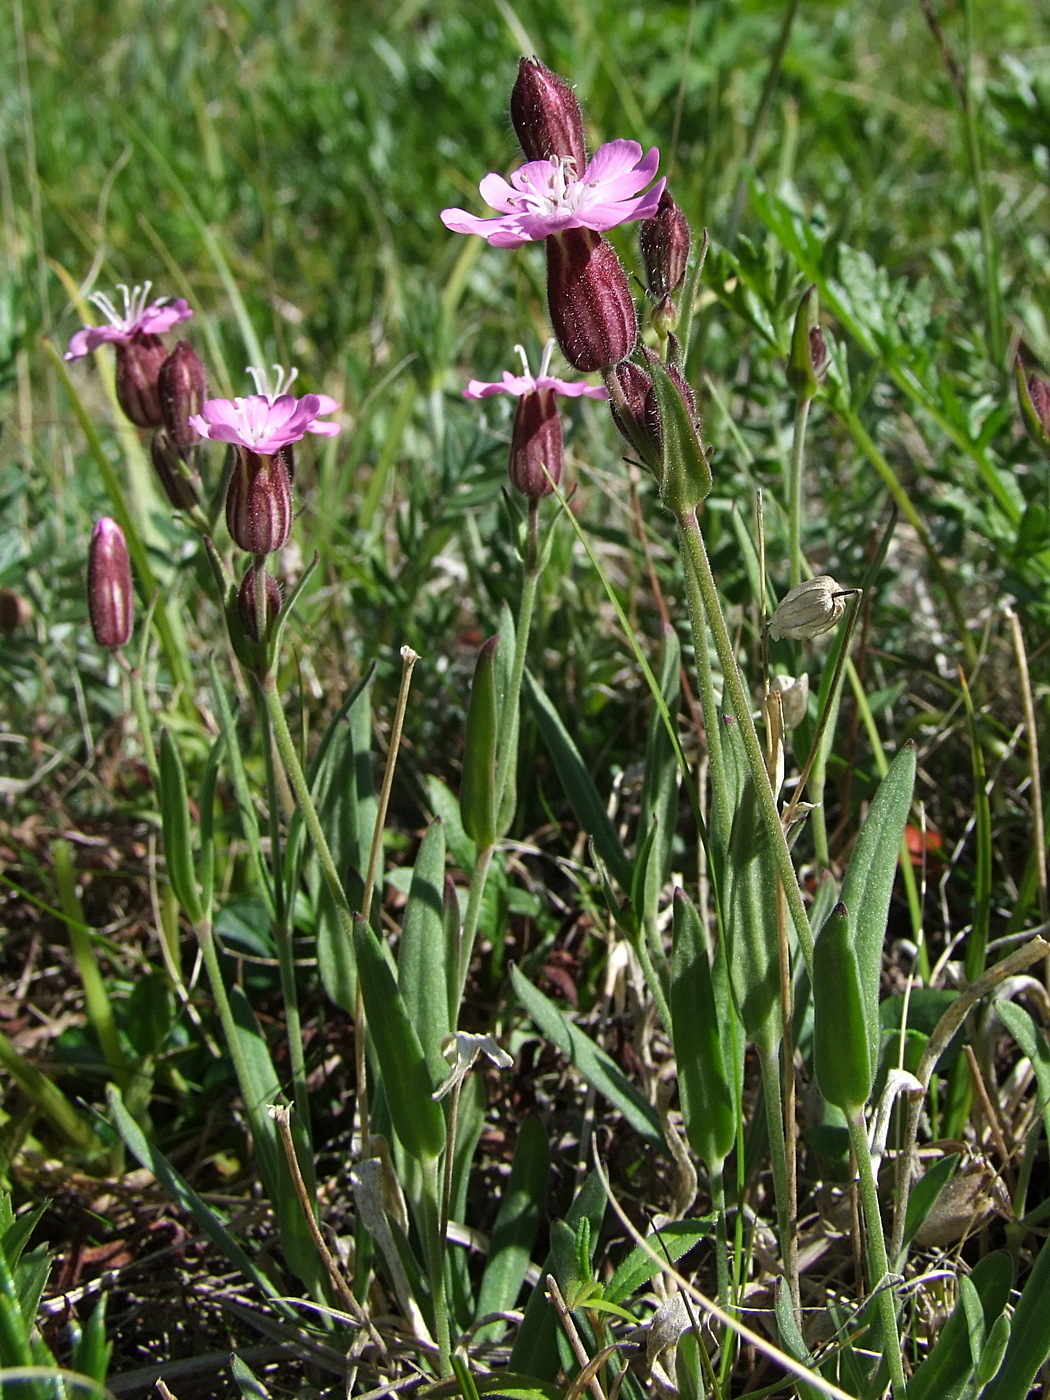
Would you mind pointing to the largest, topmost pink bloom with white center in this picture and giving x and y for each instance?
(547, 198)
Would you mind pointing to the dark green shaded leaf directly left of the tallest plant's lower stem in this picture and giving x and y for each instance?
(698, 1035)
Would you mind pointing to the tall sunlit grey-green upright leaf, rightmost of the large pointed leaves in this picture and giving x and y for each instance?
(869, 883)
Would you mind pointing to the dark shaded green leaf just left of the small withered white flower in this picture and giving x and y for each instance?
(418, 1121)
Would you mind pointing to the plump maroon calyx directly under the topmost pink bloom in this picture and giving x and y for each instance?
(591, 306)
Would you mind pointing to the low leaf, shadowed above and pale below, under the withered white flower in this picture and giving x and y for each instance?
(517, 1223)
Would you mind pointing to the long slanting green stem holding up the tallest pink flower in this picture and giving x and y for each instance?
(701, 565)
